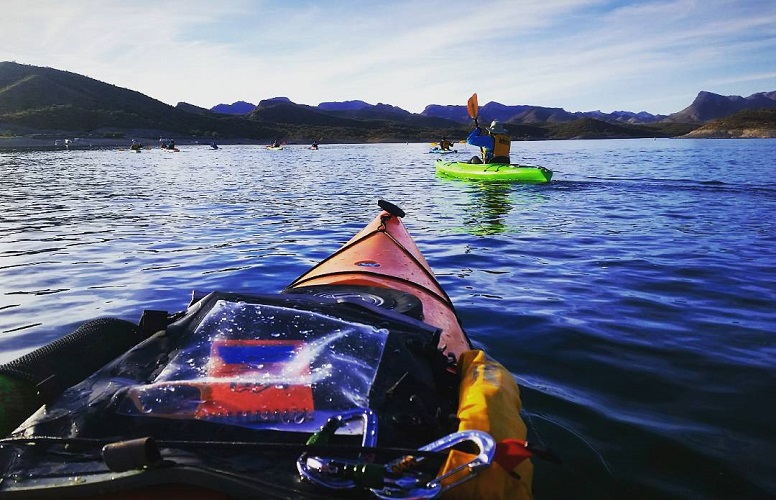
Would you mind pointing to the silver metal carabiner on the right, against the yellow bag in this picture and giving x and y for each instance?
(406, 487)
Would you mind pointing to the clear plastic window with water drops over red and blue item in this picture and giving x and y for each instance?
(265, 367)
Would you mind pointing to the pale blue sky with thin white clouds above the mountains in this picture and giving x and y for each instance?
(580, 55)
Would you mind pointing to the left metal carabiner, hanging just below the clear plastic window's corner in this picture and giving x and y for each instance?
(328, 472)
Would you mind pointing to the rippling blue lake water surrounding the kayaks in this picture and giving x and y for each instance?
(634, 297)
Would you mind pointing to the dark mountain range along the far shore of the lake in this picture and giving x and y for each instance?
(44, 101)
